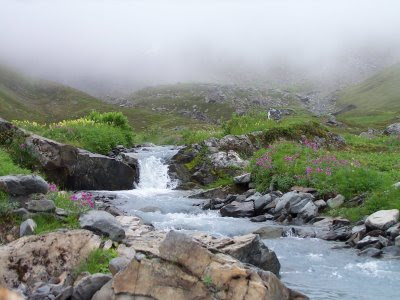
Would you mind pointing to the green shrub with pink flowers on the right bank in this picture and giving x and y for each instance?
(286, 164)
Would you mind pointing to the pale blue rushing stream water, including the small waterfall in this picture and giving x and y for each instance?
(308, 265)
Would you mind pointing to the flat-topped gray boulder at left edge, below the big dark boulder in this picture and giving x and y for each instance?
(23, 185)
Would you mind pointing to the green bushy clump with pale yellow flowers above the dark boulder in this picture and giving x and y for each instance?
(97, 132)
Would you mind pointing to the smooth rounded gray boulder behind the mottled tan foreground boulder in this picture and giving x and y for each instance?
(103, 223)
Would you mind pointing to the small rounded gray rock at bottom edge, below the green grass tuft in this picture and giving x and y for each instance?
(85, 288)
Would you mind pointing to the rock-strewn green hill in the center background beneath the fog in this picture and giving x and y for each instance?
(213, 103)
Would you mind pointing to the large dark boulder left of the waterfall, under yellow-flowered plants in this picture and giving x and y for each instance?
(78, 169)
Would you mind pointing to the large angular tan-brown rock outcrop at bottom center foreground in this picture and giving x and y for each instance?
(186, 270)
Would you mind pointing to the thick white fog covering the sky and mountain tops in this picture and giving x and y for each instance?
(117, 46)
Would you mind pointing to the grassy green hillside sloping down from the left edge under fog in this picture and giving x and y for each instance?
(24, 98)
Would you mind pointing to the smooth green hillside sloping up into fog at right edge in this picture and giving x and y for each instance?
(376, 100)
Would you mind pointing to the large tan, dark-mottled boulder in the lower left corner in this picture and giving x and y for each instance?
(35, 258)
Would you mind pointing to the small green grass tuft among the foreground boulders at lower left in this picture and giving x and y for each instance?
(97, 262)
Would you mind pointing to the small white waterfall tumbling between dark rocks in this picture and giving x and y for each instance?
(154, 170)
